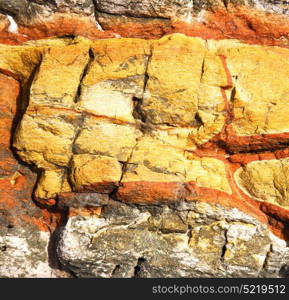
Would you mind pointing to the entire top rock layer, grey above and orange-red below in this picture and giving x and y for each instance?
(261, 22)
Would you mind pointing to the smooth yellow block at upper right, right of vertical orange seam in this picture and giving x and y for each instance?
(260, 97)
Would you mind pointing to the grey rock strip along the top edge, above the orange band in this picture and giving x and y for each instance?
(25, 11)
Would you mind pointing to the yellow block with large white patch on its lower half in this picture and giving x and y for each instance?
(114, 78)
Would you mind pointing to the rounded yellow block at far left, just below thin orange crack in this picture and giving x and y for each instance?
(45, 140)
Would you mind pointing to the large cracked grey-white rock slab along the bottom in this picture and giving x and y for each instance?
(187, 240)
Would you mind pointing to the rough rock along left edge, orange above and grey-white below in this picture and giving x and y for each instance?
(24, 227)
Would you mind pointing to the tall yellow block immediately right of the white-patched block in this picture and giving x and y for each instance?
(172, 94)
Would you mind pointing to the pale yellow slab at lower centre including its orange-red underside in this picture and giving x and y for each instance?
(154, 162)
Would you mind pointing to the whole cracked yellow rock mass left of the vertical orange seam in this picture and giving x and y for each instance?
(63, 120)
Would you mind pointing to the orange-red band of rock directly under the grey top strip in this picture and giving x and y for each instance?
(247, 24)
